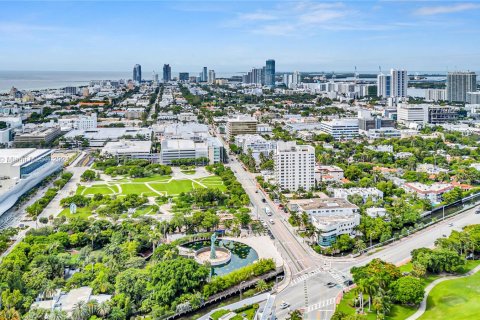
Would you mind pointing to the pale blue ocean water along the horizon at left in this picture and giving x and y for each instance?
(36, 80)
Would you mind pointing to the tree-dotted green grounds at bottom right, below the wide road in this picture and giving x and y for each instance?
(384, 291)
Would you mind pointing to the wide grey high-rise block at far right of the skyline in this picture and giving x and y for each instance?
(459, 83)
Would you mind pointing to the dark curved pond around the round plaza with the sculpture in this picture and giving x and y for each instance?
(242, 254)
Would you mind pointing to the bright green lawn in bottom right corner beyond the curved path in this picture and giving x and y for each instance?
(454, 299)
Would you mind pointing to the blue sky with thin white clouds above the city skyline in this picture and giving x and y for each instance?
(234, 36)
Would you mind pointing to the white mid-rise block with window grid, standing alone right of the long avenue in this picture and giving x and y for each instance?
(294, 166)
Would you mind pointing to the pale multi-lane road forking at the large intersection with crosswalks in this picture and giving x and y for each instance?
(309, 272)
